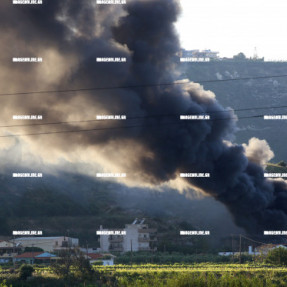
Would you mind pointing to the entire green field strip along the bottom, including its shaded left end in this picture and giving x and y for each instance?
(177, 275)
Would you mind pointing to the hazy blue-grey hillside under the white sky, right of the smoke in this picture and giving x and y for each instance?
(268, 93)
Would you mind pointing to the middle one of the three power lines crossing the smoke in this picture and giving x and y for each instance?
(149, 116)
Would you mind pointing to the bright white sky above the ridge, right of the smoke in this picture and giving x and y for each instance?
(233, 26)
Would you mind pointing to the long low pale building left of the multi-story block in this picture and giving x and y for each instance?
(48, 244)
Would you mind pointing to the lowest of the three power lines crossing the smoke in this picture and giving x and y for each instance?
(124, 127)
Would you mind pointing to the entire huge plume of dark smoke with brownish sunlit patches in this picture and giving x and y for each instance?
(78, 32)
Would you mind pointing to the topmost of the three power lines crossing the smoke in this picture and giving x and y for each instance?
(139, 86)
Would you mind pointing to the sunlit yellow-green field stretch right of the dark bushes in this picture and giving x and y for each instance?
(211, 275)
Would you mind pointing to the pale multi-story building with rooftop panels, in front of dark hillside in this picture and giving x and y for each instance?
(137, 237)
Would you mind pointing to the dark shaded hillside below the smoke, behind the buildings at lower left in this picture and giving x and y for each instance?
(77, 205)
